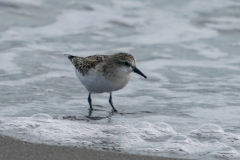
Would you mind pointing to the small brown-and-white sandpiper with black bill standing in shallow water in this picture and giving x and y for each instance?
(104, 73)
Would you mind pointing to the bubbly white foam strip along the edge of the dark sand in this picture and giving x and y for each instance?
(157, 137)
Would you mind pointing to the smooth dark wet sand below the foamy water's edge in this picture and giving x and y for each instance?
(12, 149)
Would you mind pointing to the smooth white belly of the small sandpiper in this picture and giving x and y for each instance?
(95, 82)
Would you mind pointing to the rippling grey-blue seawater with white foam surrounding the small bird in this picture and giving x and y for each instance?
(188, 107)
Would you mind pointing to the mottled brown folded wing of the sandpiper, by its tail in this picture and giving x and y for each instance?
(83, 65)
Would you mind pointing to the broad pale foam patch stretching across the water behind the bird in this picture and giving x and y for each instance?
(155, 25)
